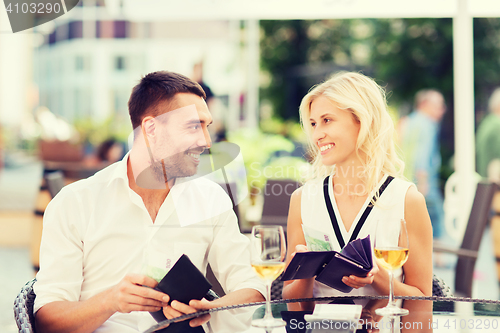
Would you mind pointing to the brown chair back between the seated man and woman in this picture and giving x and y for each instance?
(277, 195)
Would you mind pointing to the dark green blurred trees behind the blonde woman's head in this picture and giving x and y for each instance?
(404, 55)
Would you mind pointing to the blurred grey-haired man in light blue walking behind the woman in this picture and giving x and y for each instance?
(420, 144)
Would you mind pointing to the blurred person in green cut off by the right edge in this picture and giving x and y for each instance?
(488, 141)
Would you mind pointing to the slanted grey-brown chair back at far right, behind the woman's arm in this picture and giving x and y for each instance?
(478, 219)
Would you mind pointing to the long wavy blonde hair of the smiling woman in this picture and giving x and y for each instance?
(365, 99)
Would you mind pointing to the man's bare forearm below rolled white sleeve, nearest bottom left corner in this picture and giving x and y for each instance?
(76, 317)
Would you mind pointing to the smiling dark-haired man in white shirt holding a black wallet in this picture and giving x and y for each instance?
(101, 233)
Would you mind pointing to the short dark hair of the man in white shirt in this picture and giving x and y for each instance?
(155, 88)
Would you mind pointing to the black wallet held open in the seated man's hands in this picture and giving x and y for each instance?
(182, 283)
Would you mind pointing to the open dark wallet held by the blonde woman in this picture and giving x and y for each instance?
(330, 266)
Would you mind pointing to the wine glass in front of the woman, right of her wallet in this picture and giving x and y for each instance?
(391, 251)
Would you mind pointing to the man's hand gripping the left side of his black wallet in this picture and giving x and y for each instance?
(133, 294)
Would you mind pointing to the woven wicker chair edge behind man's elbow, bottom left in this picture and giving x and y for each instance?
(23, 308)
